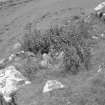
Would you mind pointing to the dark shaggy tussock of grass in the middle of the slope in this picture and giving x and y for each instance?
(74, 40)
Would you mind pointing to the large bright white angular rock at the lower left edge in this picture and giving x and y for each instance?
(9, 79)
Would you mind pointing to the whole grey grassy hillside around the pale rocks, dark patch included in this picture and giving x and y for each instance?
(28, 17)
